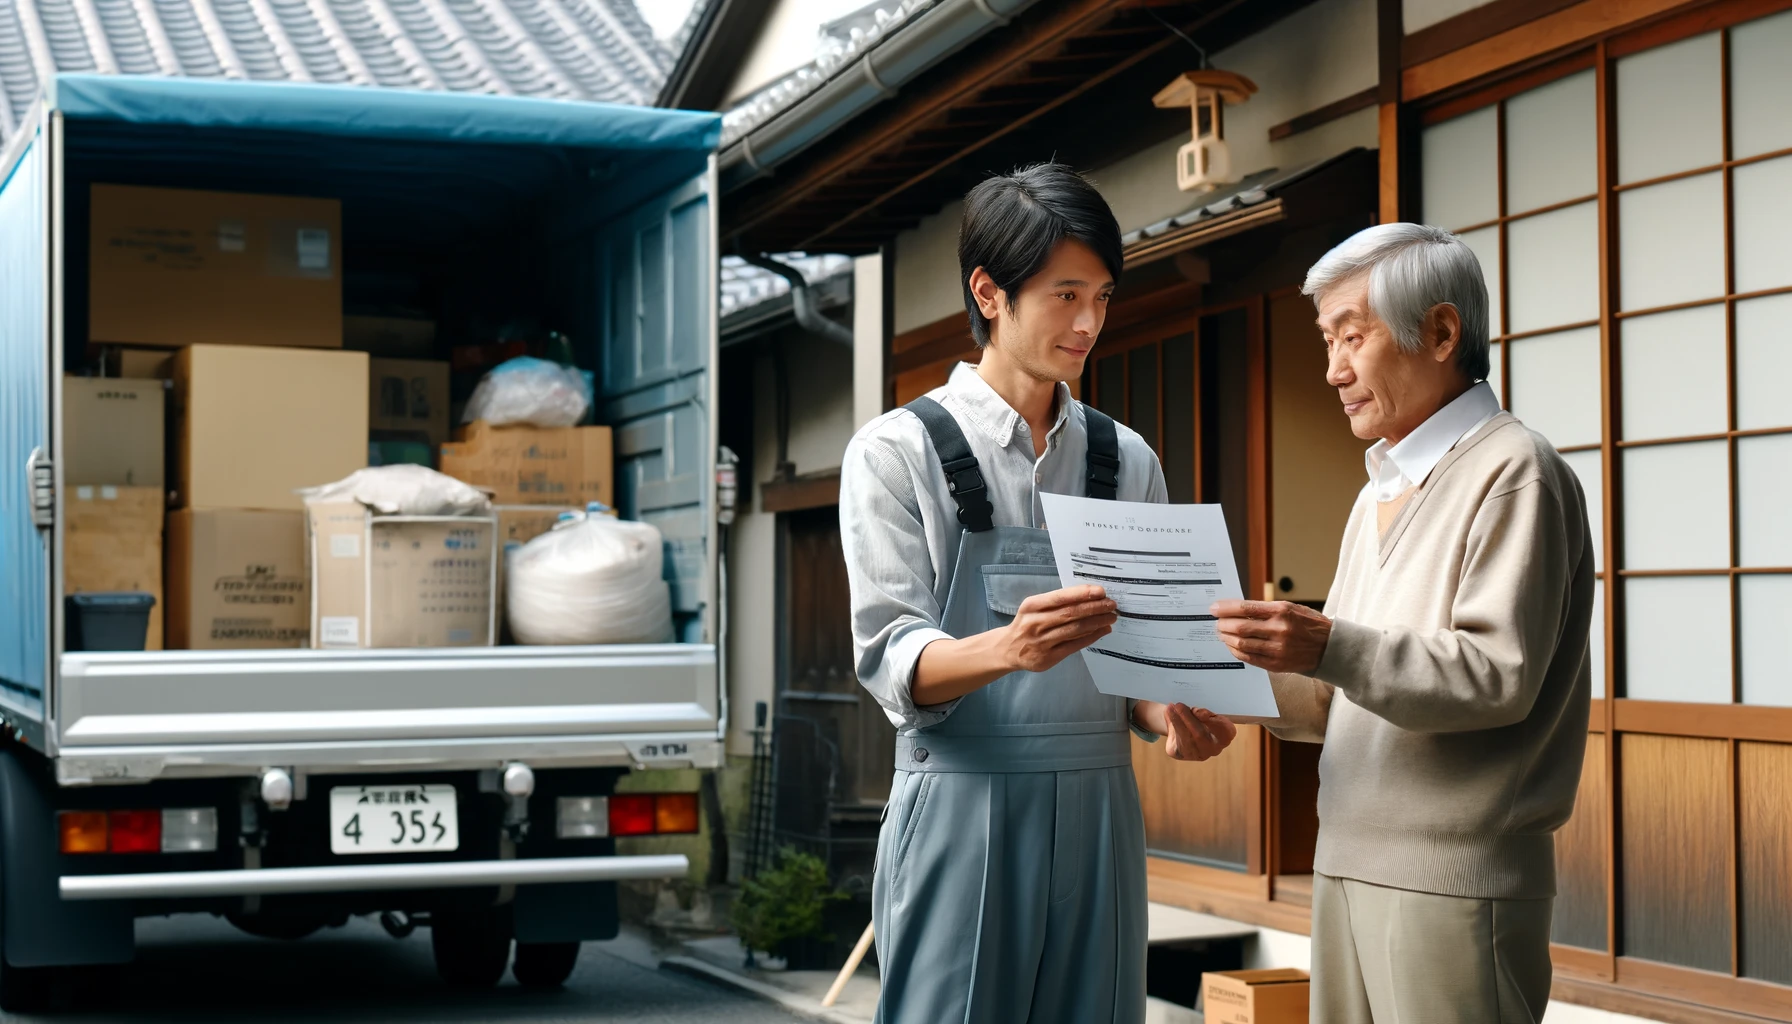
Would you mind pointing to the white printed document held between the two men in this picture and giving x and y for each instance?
(1166, 568)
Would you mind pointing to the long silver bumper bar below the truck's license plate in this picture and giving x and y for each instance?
(363, 878)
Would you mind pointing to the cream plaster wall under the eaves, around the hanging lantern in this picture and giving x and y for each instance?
(1316, 56)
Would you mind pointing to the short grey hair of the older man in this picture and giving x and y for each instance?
(1413, 270)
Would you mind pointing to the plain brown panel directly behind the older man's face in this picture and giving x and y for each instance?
(1314, 460)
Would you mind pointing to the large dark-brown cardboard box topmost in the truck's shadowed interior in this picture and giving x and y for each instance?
(173, 268)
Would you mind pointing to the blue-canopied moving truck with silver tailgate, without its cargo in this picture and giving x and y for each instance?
(465, 790)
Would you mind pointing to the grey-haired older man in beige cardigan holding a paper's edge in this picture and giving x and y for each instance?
(1449, 675)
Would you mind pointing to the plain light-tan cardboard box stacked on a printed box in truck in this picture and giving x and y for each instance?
(254, 426)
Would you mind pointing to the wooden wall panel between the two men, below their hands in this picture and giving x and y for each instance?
(1198, 810)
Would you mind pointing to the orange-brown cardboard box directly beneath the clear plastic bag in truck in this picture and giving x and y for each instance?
(535, 465)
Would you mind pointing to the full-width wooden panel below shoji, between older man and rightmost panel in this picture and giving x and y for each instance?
(1676, 846)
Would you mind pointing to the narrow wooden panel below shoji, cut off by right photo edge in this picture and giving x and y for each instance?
(1764, 783)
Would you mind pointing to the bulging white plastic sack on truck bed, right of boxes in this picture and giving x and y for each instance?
(590, 580)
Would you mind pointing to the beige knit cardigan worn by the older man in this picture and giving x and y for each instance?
(1454, 693)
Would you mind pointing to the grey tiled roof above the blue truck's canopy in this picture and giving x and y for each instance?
(562, 49)
